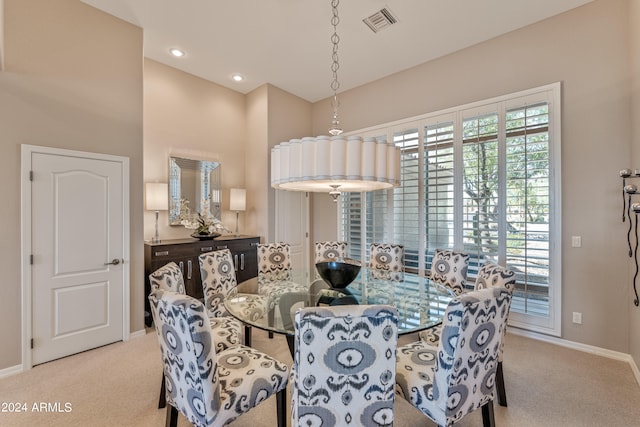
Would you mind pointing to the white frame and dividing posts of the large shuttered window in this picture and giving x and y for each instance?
(551, 94)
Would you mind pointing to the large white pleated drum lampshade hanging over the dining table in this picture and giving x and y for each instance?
(325, 164)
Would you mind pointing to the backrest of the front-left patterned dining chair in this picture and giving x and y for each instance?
(188, 354)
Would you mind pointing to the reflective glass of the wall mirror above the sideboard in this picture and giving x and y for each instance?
(195, 181)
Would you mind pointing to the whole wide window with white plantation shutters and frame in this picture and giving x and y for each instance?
(483, 179)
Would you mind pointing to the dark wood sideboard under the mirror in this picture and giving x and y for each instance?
(185, 253)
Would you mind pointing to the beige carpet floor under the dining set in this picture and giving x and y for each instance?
(118, 385)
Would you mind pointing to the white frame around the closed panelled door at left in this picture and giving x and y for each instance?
(25, 239)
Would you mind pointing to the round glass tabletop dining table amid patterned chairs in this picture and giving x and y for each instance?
(421, 303)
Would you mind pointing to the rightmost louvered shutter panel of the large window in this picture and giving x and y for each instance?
(528, 205)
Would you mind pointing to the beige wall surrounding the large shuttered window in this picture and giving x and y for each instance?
(586, 49)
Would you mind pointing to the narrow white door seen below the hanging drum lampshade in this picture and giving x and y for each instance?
(292, 226)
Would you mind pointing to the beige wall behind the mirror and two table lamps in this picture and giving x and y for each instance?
(190, 117)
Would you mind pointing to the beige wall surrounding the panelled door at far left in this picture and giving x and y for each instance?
(62, 90)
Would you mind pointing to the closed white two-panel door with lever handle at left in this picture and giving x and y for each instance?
(77, 223)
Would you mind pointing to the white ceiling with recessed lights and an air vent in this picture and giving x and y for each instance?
(287, 42)
